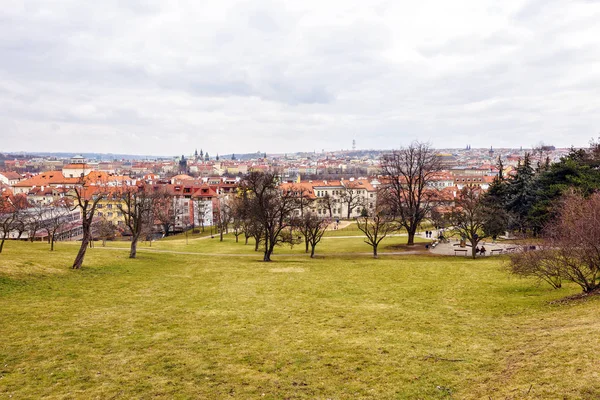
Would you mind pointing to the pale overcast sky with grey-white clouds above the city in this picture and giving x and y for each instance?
(166, 77)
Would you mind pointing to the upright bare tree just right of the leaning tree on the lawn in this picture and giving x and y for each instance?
(136, 204)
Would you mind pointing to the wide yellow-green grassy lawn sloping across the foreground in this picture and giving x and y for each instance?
(342, 326)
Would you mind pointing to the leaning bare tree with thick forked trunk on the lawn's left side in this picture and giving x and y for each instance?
(86, 198)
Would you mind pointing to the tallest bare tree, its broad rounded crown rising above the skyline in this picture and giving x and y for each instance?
(407, 173)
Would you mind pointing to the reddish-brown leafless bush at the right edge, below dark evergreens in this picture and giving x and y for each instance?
(570, 249)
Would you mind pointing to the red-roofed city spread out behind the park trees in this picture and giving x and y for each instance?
(199, 182)
